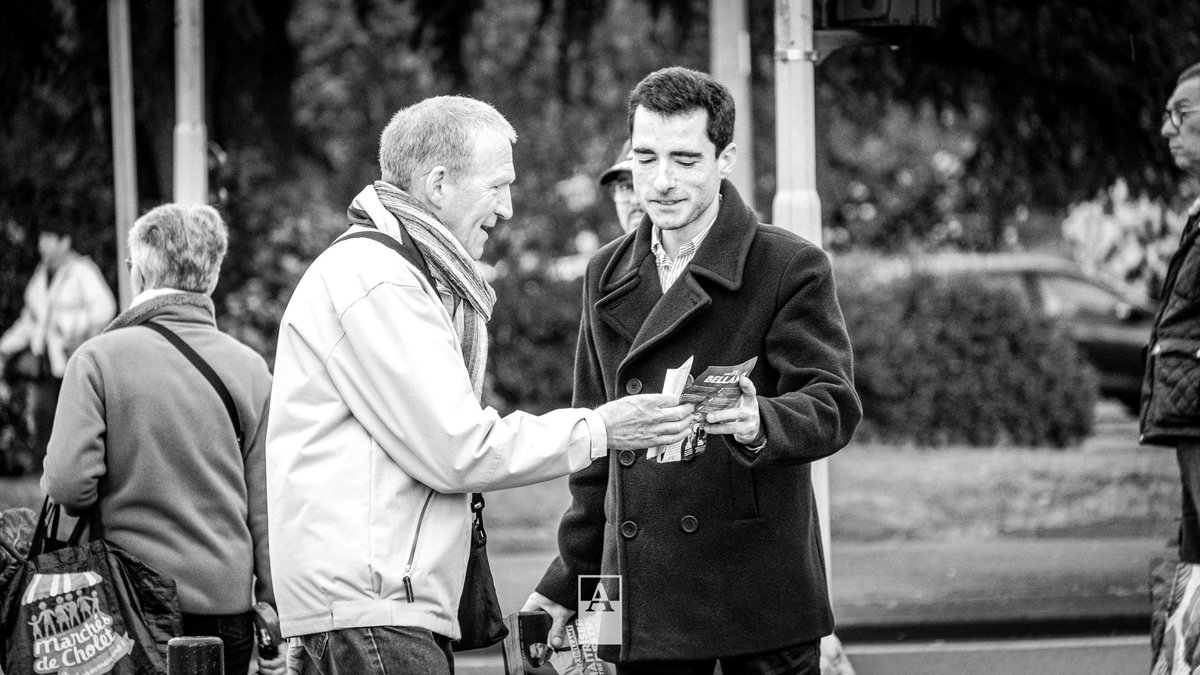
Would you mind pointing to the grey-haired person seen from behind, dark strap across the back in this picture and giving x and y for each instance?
(160, 428)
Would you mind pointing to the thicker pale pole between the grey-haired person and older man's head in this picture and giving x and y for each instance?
(191, 139)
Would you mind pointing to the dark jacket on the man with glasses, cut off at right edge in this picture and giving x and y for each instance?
(1171, 399)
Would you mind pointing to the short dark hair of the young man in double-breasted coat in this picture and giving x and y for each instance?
(679, 92)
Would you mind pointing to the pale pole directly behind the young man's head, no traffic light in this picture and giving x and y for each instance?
(730, 55)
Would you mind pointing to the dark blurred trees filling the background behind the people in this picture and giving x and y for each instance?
(977, 135)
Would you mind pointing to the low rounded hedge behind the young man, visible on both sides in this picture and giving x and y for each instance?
(938, 360)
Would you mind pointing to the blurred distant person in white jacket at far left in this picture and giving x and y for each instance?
(67, 302)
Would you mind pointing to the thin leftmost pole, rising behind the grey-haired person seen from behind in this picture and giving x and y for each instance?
(125, 170)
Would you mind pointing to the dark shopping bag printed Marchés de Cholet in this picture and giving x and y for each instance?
(87, 608)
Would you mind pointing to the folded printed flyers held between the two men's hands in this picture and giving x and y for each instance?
(717, 389)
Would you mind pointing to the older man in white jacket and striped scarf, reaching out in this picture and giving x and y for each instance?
(377, 435)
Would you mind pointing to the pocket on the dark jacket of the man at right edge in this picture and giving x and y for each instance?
(1175, 391)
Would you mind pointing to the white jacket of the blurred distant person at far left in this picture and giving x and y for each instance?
(61, 314)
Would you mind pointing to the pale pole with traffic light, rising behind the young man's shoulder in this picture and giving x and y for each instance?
(797, 205)
